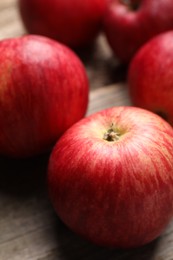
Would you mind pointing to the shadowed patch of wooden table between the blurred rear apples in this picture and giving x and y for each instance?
(106, 69)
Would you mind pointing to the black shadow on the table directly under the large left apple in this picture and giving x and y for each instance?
(23, 177)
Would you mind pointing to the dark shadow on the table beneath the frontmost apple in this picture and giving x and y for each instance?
(73, 247)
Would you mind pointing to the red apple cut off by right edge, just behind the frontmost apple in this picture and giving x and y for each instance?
(150, 76)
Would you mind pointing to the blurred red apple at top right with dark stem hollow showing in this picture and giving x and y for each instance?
(129, 24)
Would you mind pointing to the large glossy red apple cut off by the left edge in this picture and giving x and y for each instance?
(43, 91)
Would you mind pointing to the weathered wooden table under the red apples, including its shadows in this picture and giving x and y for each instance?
(29, 228)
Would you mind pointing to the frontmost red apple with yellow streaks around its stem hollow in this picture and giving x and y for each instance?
(114, 193)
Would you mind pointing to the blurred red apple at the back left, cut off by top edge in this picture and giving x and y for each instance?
(75, 23)
